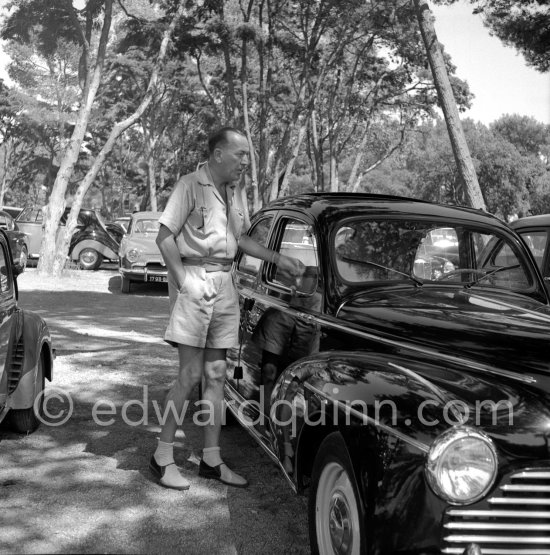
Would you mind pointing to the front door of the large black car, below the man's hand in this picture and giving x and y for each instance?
(279, 321)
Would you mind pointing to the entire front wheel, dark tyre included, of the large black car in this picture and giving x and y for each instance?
(336, 512)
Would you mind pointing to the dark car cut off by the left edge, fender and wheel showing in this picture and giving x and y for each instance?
(26, 356)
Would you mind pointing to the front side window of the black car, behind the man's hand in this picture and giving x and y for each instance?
(298, 241)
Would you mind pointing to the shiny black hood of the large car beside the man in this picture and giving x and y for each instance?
(509, 332)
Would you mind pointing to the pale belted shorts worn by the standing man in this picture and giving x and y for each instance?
(205, 312)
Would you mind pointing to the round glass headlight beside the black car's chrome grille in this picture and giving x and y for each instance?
(462, 465)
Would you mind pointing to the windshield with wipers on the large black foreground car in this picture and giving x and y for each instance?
(425, 251)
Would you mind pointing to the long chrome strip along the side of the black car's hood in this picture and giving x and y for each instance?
(437, 354)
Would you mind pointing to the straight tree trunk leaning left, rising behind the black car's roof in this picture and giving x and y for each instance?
(448, 104)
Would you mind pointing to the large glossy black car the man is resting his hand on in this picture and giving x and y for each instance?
(412, 406)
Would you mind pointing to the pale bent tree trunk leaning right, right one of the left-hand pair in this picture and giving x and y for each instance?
(117, 130)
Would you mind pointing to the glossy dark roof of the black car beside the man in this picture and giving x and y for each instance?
(325, 205)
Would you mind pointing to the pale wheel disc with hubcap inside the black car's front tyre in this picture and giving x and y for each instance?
(337, 515)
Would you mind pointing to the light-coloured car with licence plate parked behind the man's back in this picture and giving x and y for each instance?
(139, 256)
